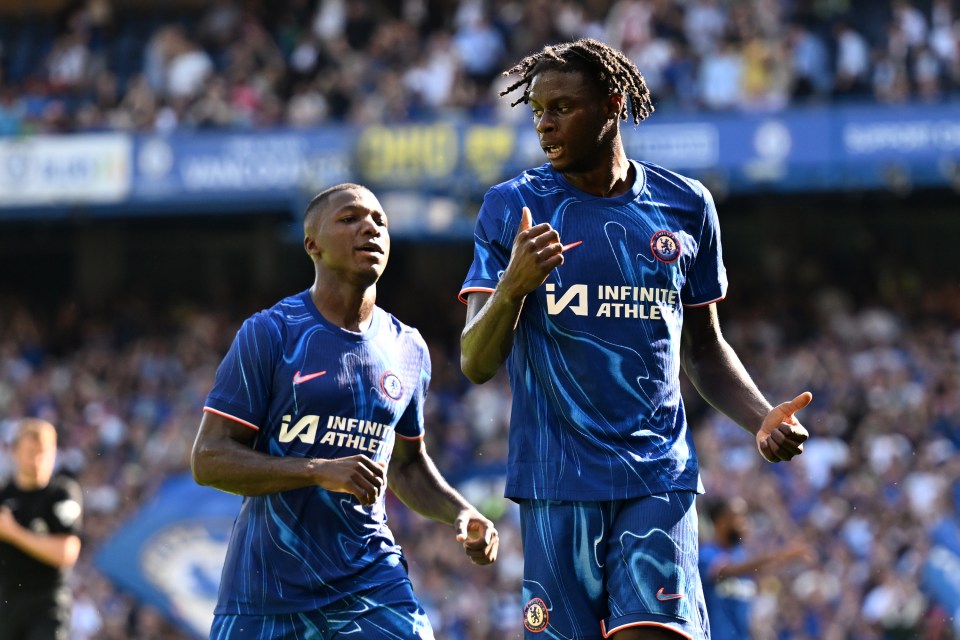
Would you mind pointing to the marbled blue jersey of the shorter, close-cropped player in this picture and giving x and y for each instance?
(314, 390)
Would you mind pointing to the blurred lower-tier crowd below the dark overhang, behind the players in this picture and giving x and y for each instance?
(880, 472)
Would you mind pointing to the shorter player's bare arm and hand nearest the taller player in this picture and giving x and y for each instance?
(415, 480)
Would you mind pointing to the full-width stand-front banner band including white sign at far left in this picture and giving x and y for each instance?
(440, 169)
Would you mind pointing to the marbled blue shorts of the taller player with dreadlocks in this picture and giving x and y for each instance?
(594, 568)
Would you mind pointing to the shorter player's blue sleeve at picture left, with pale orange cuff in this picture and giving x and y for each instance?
(244, 378)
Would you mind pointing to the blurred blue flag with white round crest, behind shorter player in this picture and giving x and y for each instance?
(170, 554)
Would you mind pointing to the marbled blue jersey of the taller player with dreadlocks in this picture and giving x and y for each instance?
(597, 412)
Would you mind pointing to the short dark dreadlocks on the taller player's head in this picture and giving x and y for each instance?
(611, 69)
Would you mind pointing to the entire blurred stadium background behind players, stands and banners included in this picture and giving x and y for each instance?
(156, 157)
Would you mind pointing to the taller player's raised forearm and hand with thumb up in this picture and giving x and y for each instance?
(492, 318)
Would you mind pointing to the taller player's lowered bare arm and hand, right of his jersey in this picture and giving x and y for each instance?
(718, 375)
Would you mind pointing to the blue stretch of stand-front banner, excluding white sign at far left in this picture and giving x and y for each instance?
(813, 149)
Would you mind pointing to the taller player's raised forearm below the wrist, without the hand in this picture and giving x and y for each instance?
(488, 336)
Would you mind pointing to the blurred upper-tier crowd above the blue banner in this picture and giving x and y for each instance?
(246, 64)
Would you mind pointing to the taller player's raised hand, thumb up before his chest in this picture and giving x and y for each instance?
(536, 252)
